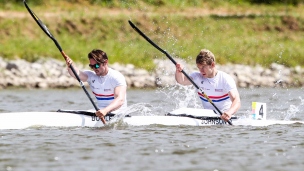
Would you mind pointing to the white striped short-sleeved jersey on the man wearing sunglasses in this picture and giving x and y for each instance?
(103, 86)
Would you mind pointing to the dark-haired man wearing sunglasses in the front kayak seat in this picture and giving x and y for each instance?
(108, 85)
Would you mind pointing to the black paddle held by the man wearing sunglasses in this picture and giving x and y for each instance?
(48, 33)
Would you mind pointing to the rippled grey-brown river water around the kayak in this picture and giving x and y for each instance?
(119, 147)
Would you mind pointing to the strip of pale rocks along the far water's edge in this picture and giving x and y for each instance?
(52, 73)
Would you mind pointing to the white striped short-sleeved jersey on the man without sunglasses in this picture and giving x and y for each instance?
(216, 89)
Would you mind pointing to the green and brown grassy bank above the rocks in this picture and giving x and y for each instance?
(236, 33)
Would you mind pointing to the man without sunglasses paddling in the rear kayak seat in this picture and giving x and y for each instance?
(219, 86)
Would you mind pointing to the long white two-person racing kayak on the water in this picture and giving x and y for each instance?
(87, 118)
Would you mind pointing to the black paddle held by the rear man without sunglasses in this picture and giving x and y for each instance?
(163, 51)
